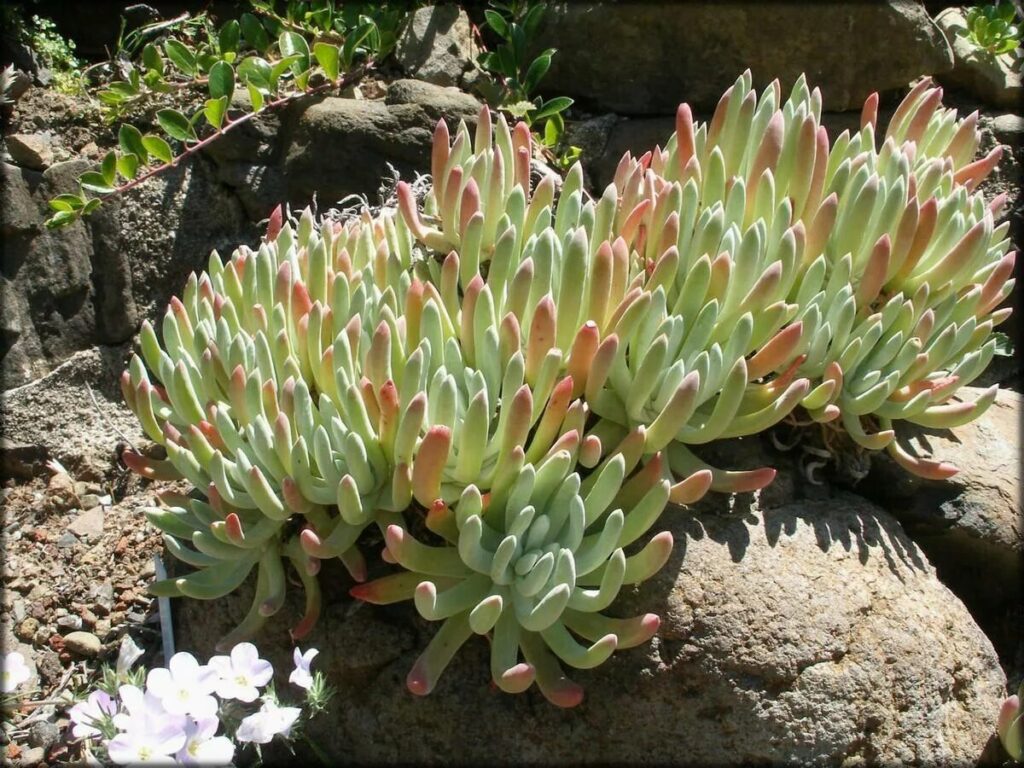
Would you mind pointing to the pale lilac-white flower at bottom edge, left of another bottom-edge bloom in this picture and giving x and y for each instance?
(151, 734)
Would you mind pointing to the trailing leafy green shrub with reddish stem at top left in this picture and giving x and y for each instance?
(208, 65)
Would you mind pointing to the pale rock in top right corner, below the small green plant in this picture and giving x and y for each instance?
(996, 80)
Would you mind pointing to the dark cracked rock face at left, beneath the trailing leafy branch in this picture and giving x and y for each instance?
(95, 281)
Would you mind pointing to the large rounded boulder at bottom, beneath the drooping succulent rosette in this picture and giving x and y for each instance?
(812, 633)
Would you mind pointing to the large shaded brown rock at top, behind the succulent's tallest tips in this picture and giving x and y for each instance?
(654, 56)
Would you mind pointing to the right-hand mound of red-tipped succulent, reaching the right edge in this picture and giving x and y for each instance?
(755, 264)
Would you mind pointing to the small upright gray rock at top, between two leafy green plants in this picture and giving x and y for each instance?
(437, 46)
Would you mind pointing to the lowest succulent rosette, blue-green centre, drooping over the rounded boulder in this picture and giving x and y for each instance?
(534, 567)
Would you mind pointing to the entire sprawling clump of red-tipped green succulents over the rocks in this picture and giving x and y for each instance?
(508, 380)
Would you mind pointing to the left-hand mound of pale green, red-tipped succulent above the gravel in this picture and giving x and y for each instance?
(353, 413)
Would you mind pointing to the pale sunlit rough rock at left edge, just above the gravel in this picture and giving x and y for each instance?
(55, 418)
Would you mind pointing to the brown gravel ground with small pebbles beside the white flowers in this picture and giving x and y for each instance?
(77, 560)
